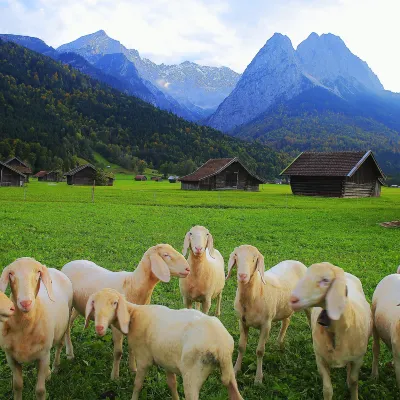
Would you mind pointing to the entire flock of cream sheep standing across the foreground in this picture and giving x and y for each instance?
(45, 302)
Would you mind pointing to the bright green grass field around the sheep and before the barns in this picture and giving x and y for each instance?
(56, 223)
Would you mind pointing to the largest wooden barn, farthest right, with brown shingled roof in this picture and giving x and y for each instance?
(335, 174)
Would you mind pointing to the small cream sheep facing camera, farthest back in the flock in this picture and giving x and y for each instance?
(207, 275)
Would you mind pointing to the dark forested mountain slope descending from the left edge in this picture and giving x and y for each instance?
(50, 114)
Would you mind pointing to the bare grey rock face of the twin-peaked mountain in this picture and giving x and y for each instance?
(279, 73)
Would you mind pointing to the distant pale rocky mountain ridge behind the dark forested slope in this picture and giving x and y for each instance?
(198, 88)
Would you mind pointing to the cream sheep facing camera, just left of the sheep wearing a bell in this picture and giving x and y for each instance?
(262, 298)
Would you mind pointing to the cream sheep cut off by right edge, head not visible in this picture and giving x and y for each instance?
(386, 316)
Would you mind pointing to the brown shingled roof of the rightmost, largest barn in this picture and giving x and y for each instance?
(340, 163)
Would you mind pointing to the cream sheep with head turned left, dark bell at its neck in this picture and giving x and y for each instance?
(341, 321)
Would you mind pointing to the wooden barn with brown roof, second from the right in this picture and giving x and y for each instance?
(221, 174)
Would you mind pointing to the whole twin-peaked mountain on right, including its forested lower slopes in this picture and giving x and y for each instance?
(318, 97)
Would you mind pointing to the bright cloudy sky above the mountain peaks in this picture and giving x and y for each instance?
(215, 32)
